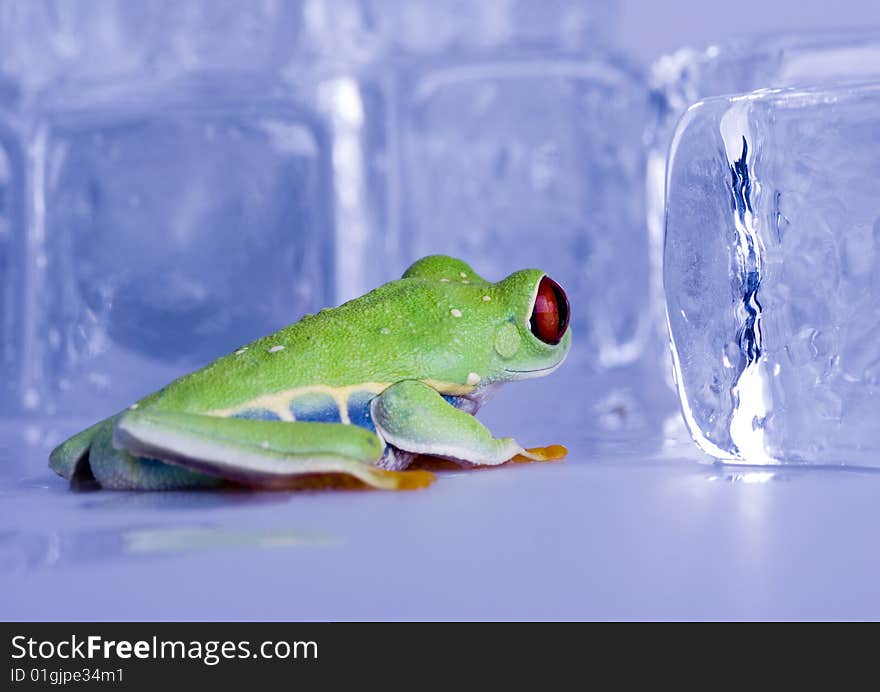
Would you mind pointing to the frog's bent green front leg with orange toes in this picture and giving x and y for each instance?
(413, 417)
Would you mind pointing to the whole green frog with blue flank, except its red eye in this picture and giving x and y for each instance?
(353, 392)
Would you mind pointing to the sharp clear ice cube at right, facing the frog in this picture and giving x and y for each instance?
(772, 275)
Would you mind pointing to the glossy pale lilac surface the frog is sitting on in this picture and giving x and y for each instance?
(621, 529)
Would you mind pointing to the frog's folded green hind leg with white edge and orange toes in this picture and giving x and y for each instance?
(259, 453)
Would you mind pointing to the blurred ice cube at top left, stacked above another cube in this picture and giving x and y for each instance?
(44, 41)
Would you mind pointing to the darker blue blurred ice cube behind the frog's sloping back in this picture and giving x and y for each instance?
(172, 222)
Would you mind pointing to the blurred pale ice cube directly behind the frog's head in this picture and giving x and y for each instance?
(534, 163)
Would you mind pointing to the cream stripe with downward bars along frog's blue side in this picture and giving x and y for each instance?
(280, 403)
